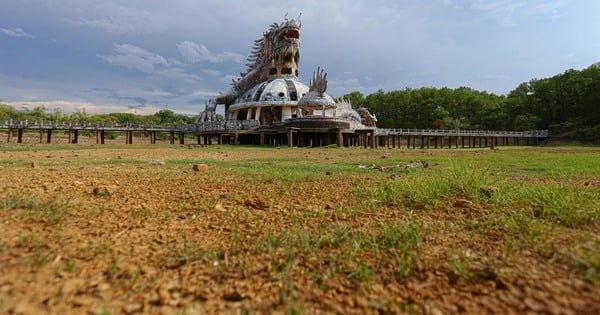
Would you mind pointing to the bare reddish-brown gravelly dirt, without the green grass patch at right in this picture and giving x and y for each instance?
(134, 230)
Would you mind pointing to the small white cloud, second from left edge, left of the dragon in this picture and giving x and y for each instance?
(131, 56)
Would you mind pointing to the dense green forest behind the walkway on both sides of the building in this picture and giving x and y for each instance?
(567, 104)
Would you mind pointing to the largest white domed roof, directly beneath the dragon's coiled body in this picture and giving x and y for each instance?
(287, 88)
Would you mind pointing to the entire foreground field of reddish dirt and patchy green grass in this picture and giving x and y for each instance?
(112, 229)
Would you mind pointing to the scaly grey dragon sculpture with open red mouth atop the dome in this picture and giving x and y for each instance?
(276, 53)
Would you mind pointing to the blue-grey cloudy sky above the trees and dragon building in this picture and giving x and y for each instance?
(141, 56)
